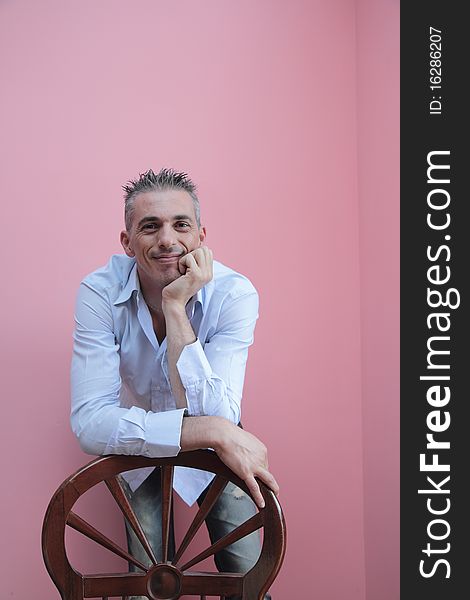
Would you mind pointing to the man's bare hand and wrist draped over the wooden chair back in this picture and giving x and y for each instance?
(241, 451)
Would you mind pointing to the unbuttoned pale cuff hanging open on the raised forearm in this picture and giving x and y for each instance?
(193, 368)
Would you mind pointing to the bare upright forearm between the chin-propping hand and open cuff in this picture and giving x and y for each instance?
(179, 334)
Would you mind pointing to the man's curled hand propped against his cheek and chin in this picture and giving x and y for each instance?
(197, 270)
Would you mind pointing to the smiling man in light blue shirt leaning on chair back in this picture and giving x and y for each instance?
(160, 349)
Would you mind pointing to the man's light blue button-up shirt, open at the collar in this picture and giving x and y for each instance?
(122, 401)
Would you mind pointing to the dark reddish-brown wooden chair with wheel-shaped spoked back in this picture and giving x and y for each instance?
(167, 580)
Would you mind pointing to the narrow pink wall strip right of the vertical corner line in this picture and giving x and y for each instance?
(378, 152)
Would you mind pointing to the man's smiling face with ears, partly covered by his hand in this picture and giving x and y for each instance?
(164, 228)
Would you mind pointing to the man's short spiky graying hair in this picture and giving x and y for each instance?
(165, 179)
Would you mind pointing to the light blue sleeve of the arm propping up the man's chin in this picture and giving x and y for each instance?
(213, 374)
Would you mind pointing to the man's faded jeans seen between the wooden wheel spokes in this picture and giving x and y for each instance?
(232, 508)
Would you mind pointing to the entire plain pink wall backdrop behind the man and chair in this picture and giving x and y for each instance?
(286, 116)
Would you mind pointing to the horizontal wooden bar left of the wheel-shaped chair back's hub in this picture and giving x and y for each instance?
(114, 584)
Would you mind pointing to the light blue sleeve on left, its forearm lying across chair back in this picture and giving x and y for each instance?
(98, 421)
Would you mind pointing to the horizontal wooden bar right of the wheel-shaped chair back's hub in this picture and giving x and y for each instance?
(212, 584)
